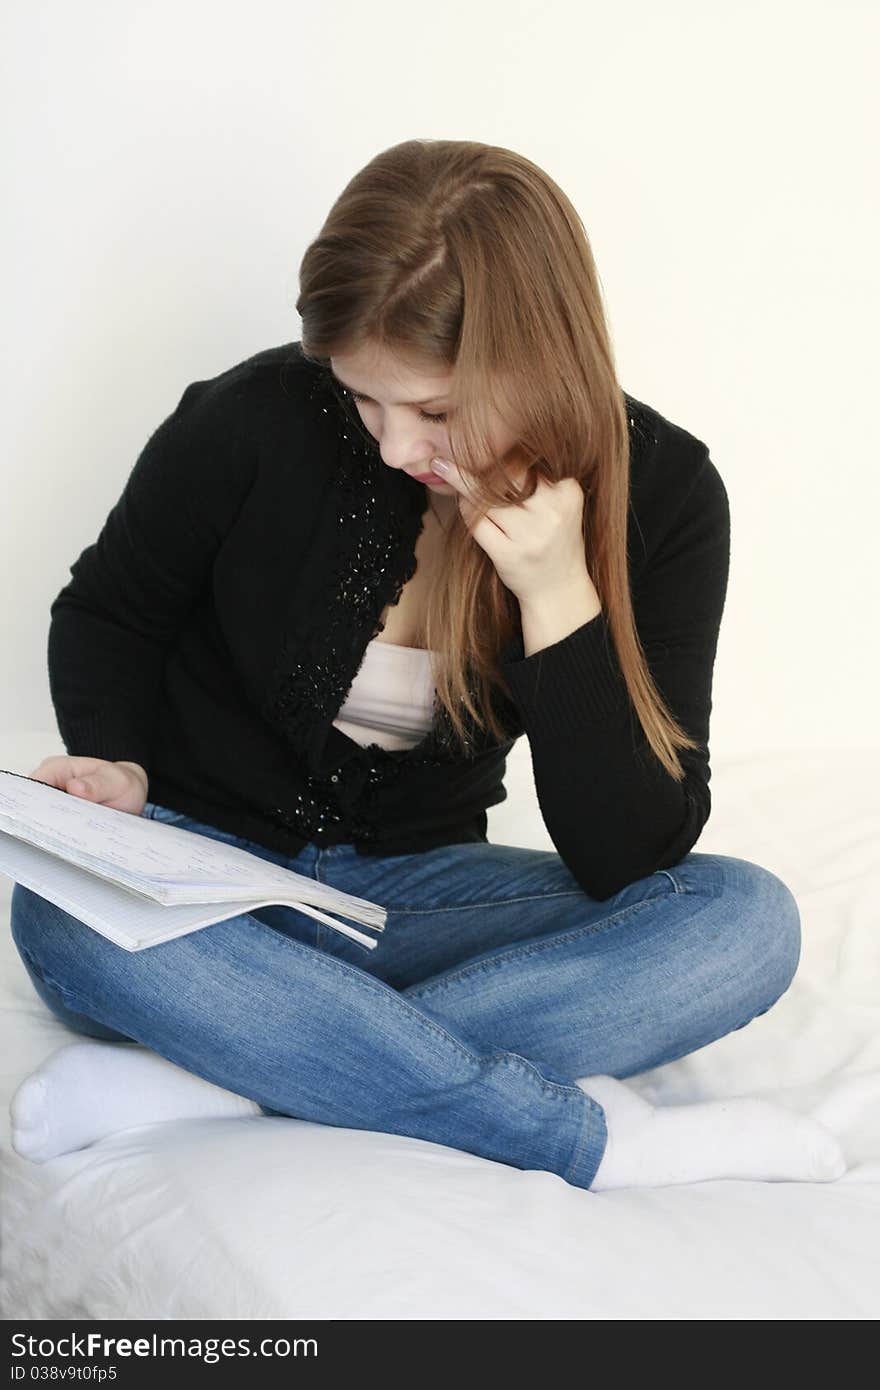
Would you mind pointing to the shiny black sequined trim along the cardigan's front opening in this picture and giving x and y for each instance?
(318, 665)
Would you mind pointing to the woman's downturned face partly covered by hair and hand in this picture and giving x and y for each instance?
(405, 412)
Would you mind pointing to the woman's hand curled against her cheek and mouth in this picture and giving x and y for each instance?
(537, 547)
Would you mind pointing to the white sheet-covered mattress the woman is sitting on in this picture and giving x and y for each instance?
(266, 1218)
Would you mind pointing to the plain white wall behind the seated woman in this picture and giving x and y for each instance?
(166, 165)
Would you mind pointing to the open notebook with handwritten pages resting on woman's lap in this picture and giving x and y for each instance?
(140, 882)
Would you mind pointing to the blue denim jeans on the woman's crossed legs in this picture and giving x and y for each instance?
(496, 985)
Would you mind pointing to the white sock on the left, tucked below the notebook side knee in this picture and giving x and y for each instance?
(91, 1089)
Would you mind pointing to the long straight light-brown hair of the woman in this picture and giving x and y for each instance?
(461, 256)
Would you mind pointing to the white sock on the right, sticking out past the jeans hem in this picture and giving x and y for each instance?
(657, 1146)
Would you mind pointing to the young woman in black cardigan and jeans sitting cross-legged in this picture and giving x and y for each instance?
(301, 635)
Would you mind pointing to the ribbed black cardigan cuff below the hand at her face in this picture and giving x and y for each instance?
(573, 683)
